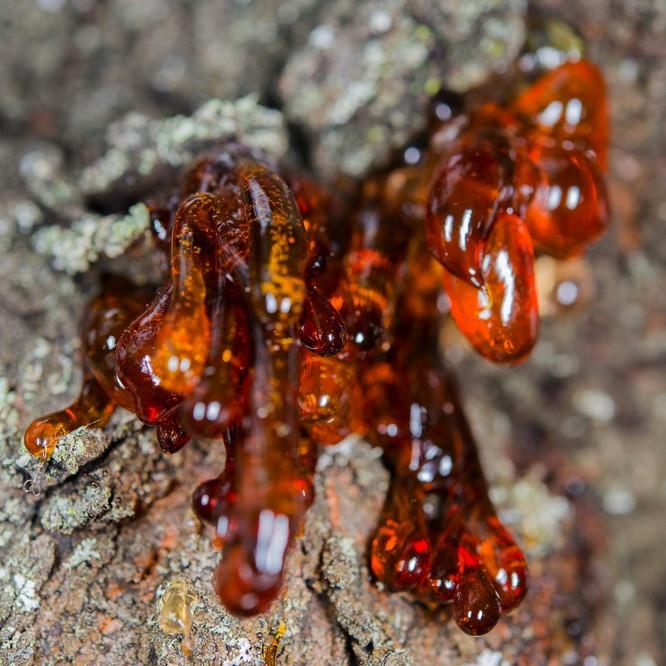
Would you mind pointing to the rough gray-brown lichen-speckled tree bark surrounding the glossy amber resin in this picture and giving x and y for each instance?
(572, 440)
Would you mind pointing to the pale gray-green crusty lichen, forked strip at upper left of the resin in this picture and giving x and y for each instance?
(138, 145)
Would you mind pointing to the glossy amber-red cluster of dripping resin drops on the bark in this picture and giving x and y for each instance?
(287, 322)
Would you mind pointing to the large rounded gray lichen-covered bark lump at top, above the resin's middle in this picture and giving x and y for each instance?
(360, 85)
